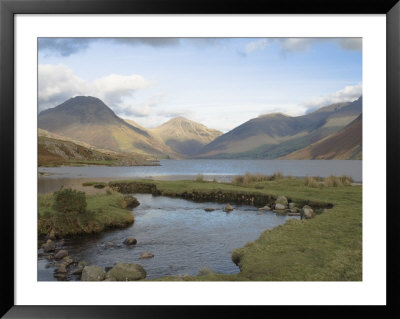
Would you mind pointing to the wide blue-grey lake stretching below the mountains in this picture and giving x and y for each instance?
(222, 170)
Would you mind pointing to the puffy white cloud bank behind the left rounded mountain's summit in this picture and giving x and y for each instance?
(58, 83)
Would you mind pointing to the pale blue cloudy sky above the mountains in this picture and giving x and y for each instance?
(219, 82)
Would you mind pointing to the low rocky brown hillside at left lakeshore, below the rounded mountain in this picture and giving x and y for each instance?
(54, 152)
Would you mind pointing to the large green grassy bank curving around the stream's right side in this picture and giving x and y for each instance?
(325, 248)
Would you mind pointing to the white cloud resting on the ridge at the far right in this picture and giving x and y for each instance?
(349, 93)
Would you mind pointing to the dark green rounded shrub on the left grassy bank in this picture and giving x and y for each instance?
(68, 200)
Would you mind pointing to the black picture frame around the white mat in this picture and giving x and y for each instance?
(9, 8)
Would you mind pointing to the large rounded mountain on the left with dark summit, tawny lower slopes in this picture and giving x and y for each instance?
(88, 119)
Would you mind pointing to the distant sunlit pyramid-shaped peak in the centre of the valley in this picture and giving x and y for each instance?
(184, 136)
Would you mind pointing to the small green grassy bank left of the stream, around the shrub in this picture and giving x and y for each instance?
(103, 211)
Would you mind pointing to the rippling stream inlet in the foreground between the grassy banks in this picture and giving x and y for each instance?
(182, 236)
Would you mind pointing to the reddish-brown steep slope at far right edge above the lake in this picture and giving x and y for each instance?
(345, 144)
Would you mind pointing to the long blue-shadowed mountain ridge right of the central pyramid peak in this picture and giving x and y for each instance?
(275, 135)
